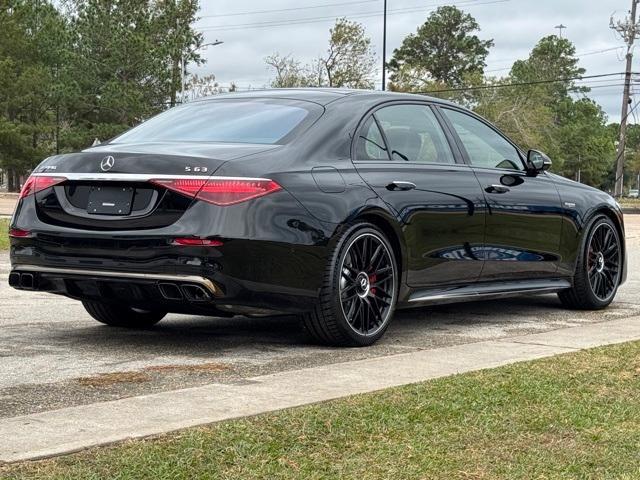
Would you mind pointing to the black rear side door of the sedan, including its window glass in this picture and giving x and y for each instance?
(402, 152)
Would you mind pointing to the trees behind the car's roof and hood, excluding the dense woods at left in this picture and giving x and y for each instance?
(538, 103)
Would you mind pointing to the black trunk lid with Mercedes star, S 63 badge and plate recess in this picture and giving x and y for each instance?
(108, 187)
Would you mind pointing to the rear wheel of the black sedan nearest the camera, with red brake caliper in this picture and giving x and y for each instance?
(360, 290)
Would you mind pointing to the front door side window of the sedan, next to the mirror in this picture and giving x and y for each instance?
(485, 147)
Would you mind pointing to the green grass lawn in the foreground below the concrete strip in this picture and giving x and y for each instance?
(575, 416)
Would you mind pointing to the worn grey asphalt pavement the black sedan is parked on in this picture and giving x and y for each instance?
(53, 355)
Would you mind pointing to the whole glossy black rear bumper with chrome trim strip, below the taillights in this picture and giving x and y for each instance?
(272, 258)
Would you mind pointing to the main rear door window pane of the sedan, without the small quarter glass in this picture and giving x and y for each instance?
(414, 135)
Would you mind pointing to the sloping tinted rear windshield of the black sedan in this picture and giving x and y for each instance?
(264, 121)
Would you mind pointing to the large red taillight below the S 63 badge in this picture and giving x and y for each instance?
(220, 191)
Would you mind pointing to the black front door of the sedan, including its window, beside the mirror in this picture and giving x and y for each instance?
(523, 222)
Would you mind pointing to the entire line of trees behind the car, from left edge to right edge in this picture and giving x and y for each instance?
(81, 70)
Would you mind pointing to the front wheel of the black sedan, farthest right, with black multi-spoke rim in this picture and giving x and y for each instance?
(598, 268)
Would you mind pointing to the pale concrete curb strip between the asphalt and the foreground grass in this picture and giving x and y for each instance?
(71, 429)
